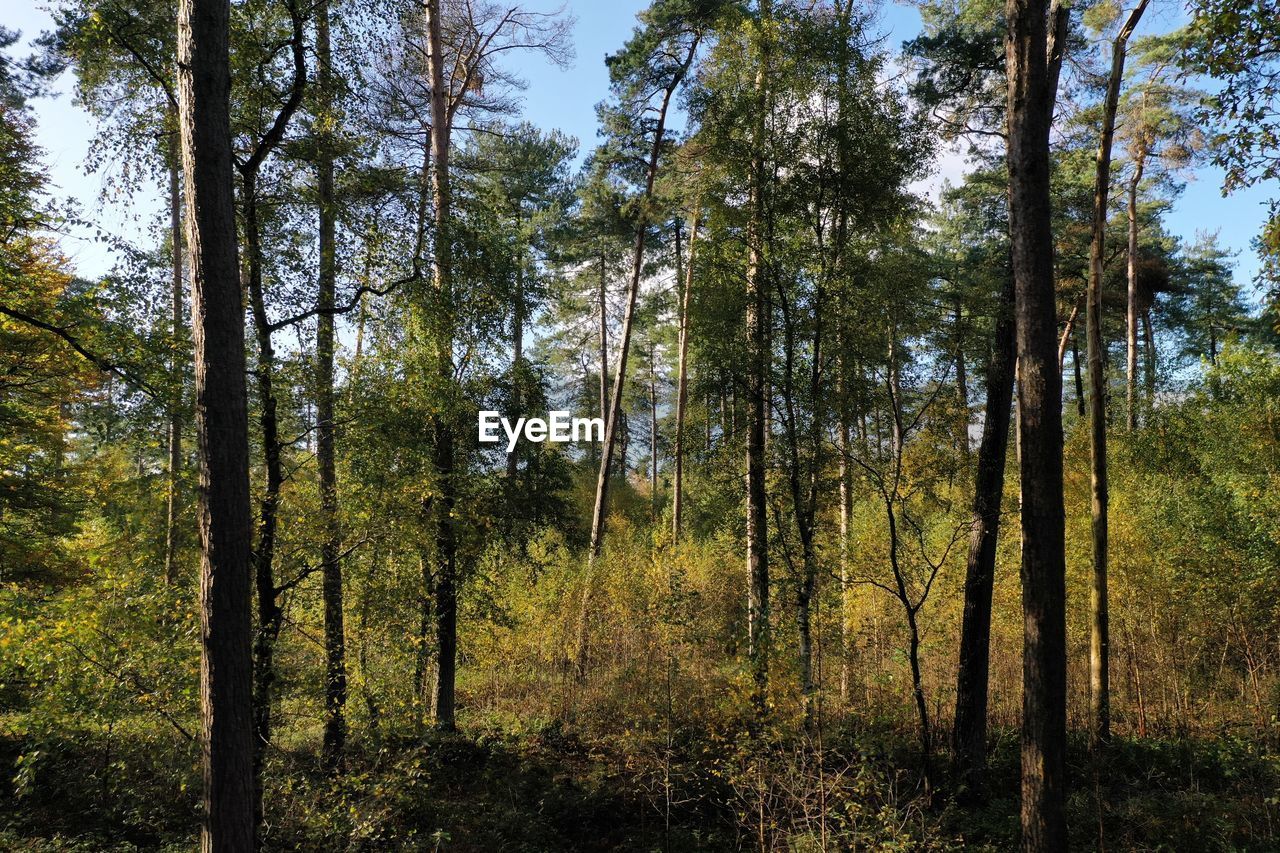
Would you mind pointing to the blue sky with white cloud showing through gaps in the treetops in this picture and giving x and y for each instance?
(556, 98)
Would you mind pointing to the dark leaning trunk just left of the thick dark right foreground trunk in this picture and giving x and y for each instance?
(972, 682)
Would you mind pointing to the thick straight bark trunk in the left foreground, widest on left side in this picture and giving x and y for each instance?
(222, 428)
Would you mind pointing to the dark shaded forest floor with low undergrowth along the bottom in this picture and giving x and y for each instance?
(552, 791)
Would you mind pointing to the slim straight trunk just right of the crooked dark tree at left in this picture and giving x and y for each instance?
(335, 641)
